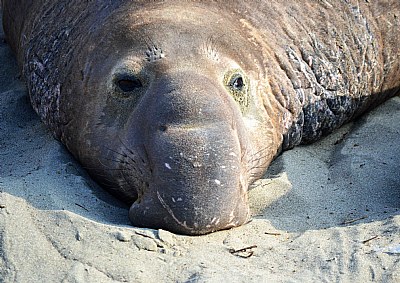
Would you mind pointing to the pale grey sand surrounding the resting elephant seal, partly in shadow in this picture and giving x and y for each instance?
(329, 212)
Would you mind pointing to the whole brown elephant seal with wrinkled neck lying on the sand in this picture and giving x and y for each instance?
(178, 106)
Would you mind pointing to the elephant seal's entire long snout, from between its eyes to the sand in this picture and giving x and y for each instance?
(199, 182)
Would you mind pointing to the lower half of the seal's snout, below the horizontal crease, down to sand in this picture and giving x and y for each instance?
(197, 184)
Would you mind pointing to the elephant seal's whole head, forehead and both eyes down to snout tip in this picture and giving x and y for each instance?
(172, 118)
